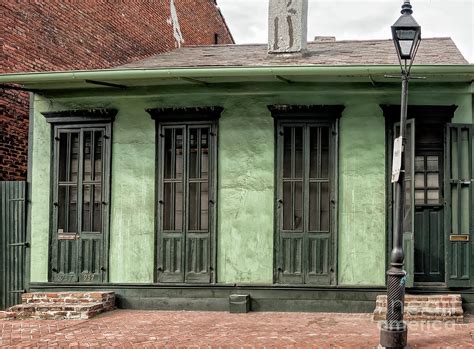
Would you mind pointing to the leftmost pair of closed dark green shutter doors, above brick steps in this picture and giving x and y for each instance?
(80, 204)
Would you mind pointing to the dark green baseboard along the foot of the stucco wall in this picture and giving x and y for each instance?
(263, 297)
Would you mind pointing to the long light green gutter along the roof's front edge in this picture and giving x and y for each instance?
(179, 73)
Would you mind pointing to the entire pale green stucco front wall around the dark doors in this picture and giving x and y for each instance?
(245, 176)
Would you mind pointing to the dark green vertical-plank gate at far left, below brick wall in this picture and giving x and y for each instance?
(13, 242)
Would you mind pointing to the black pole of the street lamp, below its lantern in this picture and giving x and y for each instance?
(393, 333)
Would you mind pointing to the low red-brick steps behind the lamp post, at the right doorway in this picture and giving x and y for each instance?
(425, 308)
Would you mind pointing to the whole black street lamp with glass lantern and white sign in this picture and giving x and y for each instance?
(406, 35)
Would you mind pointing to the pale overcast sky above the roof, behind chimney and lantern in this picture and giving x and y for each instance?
(359, 19)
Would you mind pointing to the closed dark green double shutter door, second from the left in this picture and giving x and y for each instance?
(186, 205)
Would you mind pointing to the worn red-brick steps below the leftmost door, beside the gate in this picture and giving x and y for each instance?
(61, 305)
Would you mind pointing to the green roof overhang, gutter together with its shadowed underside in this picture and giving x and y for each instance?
(122, 79)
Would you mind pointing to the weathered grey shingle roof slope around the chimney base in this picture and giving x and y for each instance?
(431, 51)
